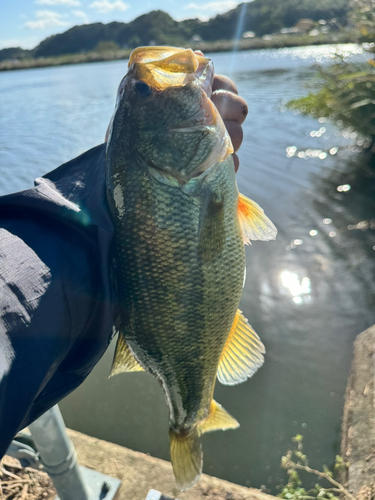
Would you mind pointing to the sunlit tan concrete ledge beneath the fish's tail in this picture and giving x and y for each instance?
(139, 473)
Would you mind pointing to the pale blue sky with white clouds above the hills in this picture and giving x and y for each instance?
(25, 23)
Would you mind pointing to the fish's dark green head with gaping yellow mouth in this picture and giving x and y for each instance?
(165, 114)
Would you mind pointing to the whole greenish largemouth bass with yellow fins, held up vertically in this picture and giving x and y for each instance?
(180, 228)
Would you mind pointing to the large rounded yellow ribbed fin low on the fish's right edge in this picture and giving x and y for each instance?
(242, 354)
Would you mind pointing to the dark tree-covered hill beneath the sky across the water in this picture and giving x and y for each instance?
(157, 27)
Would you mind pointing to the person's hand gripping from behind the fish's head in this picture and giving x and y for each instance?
(232, 108)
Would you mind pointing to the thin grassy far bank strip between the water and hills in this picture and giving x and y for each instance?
(273, 42)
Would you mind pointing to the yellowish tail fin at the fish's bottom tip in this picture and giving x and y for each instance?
(186, 457)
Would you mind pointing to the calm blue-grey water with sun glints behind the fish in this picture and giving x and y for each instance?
(308, 294)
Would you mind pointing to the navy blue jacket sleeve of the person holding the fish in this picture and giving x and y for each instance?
(57, 305)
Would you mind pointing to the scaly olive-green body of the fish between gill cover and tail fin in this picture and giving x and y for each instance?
(181, 266)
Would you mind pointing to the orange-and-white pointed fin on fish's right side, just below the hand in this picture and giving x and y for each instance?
(254, 223)
